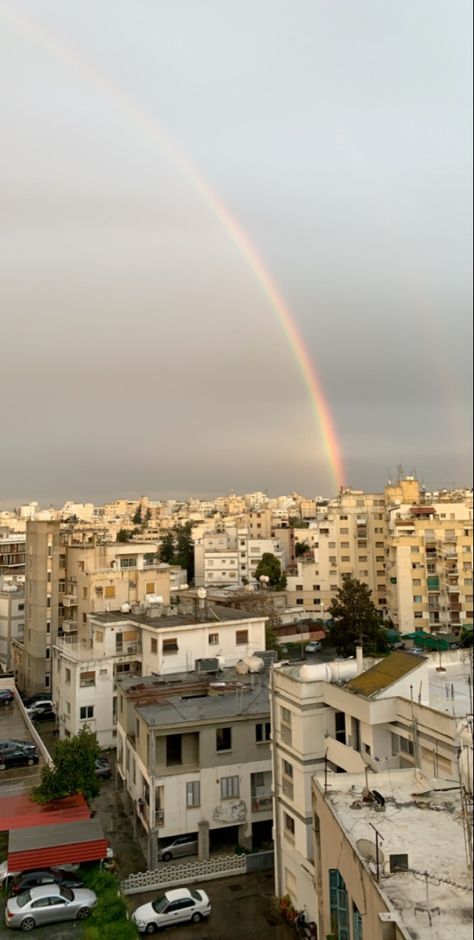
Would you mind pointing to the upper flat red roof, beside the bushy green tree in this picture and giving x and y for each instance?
(19, 812)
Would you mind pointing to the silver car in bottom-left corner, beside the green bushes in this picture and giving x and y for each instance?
(48, 904)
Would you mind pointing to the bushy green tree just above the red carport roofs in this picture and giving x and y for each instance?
(73, 769)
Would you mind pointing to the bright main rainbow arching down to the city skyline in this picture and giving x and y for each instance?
(320, 407)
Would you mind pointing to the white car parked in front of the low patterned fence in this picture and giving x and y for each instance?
(172, 907)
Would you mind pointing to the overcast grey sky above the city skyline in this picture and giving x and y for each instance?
(138, 352)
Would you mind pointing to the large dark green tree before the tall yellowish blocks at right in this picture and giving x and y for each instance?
(355, 618)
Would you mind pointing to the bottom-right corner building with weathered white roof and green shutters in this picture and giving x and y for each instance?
(390, 870)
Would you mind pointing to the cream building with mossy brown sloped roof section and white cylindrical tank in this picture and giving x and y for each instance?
(342, 717)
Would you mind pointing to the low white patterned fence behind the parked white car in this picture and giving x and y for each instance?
(219, 866)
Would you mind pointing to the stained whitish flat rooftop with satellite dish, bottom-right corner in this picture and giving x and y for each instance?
(426, 824)
